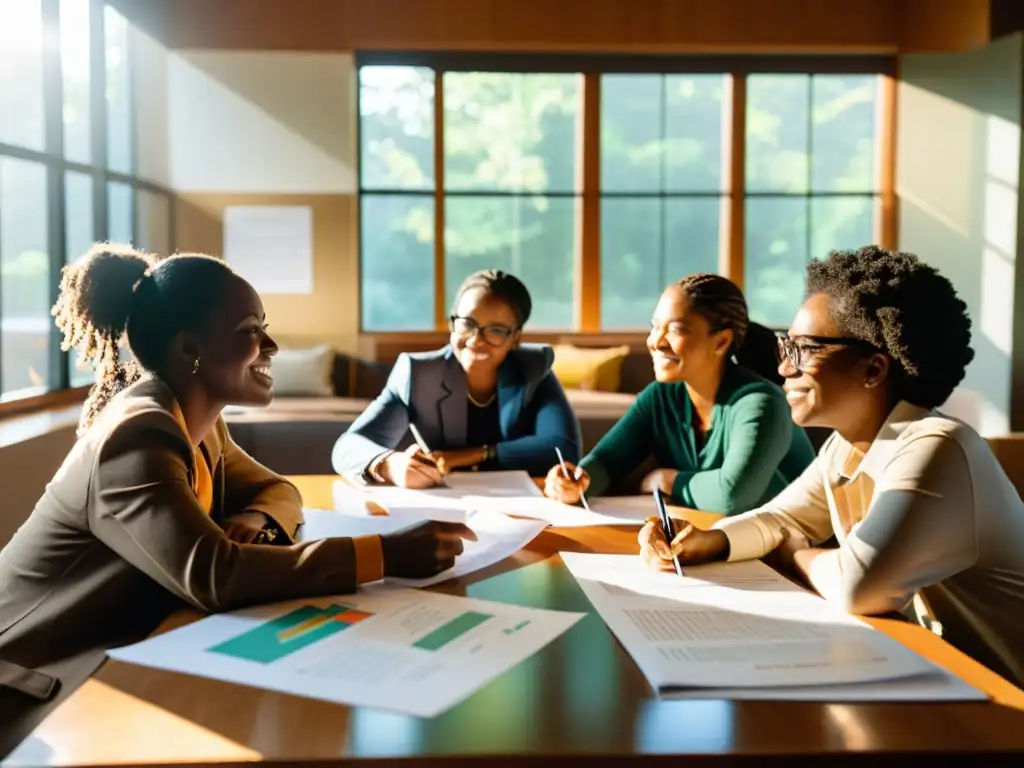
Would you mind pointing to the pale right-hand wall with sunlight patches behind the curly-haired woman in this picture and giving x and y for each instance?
(958, 181)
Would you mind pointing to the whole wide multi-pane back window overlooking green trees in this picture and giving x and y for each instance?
(600, 187)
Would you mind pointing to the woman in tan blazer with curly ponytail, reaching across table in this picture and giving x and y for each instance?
(156, 507)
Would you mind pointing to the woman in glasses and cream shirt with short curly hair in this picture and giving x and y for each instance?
(926, 520)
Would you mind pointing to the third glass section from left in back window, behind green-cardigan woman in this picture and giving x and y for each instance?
(662, 186)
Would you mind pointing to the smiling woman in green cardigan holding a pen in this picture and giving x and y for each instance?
(722, 436)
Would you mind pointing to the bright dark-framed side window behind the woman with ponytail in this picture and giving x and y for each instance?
(67, 173)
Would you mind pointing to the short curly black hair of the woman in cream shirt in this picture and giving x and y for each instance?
(904, 308)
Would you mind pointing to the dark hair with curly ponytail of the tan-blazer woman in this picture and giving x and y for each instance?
(115, 294)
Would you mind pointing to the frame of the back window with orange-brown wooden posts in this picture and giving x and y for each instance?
(587, 281)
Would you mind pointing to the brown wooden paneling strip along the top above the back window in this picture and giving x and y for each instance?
(625, 26)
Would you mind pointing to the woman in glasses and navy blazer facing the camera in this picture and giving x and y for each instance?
(485, 402)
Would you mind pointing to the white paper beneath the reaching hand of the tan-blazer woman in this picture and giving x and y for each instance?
(498, 537)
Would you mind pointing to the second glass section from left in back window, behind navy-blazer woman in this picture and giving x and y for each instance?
(511, 184)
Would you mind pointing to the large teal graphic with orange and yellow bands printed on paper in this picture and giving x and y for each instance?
(275, 641)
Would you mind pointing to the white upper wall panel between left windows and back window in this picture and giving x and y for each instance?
(260, 122)
